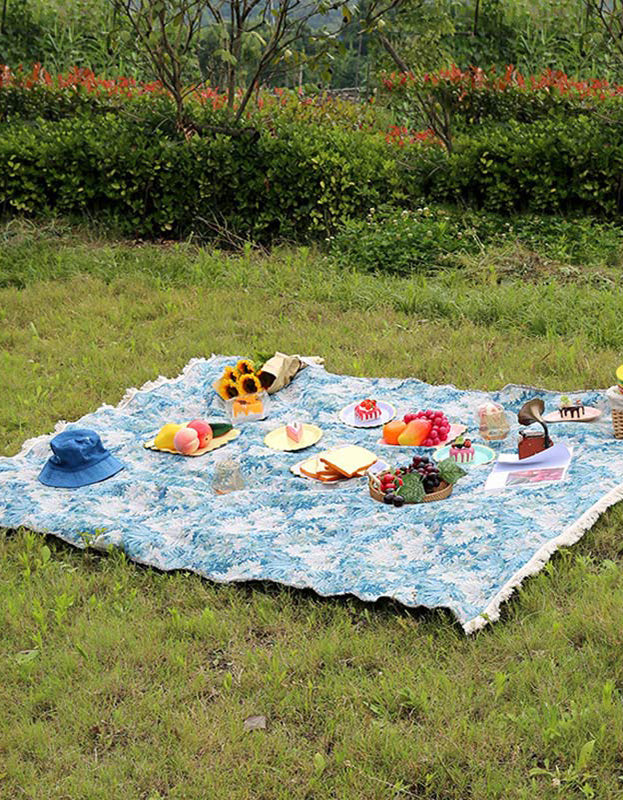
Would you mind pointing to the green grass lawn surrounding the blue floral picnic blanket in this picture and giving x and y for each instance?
(121, 682)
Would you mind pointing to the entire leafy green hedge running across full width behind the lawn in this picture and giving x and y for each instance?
(297, 179)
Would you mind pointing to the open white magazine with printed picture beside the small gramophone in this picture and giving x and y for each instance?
(550, 466)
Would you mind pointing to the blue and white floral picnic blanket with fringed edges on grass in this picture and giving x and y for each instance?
(466, 553)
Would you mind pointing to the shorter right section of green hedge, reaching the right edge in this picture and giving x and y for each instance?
(549, 166)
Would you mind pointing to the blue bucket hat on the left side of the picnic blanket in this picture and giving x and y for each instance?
(79, 459)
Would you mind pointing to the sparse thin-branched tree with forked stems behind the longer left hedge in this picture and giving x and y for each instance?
(168, 30)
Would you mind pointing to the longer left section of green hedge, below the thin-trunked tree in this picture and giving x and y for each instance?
(298, 180)
